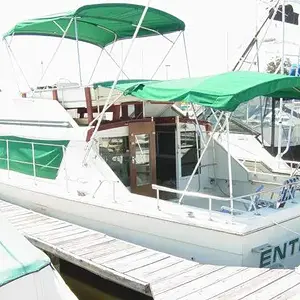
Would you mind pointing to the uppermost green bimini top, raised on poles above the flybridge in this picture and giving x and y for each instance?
(101, 24)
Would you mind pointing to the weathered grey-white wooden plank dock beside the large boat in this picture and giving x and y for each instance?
(156, 274)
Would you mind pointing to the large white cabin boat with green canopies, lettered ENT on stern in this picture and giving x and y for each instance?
(51, 164)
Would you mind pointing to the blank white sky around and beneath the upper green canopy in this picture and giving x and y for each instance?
(216, 34)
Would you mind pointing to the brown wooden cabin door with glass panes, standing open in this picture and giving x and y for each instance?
(143, 157)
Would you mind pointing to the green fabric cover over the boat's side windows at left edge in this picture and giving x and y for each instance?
(47, 154)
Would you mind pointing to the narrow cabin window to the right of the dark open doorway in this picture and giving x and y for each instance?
(188, 148)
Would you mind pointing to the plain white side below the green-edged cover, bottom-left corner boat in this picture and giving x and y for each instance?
(43, 285)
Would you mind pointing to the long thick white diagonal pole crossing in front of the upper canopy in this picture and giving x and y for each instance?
(115, 81)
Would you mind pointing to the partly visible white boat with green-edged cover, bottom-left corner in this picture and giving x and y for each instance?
(25, 271)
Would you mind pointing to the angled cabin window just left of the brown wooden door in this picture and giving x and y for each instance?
(115, 151)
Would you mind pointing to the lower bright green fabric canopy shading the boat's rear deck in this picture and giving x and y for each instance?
(223, 92)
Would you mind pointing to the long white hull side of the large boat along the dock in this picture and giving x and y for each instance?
(177, 238)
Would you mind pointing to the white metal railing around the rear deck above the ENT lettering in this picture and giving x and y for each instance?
(249, 199)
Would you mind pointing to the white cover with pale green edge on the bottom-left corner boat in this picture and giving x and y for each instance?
(18, 257)
